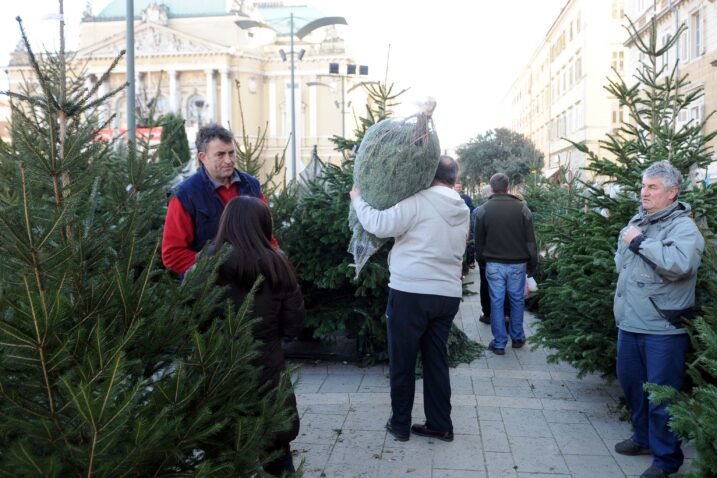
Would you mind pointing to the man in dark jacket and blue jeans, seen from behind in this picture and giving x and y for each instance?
(505, 240)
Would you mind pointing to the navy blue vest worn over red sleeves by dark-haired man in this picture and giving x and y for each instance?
(201, 201)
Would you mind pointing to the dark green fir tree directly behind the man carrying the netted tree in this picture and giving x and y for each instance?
(312, 228)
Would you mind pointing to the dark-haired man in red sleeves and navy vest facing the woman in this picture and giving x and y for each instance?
(197, 203)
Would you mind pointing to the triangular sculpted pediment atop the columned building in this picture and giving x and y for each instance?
(151, 39)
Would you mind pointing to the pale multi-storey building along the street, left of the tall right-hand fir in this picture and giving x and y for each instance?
(559, 96)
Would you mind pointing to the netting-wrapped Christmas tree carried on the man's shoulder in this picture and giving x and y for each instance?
(396, 159)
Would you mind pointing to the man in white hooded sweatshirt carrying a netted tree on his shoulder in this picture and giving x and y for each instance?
(430, 230)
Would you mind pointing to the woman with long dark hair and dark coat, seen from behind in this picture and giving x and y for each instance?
(246, 225)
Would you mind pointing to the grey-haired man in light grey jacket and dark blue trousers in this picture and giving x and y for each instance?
(657, 258)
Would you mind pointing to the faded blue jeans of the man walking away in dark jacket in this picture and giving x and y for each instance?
(504, 278)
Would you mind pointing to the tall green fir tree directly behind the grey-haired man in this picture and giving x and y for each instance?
(576, 300)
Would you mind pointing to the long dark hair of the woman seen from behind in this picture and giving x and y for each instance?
(246, 225)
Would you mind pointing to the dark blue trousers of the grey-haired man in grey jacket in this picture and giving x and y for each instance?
(659, 359)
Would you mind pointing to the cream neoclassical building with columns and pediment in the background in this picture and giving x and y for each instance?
(193, 58)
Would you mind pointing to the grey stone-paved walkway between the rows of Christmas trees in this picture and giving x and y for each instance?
(514, 416)
